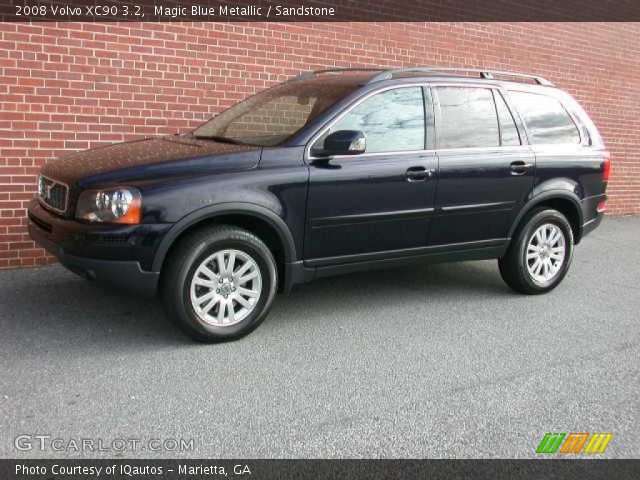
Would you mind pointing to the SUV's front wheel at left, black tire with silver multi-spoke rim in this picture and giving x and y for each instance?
(207, 301)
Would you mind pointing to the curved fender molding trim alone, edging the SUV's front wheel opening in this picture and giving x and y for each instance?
(229, 208)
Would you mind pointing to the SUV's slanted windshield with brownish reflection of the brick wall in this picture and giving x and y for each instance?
(271, 116)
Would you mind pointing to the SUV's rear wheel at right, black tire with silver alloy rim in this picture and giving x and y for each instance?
(540, 254)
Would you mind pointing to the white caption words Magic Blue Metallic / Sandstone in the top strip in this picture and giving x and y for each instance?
(243, 11)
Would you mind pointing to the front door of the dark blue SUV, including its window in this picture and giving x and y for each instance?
(380, 200)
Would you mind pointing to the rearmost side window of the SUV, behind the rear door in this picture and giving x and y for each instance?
(546, 119)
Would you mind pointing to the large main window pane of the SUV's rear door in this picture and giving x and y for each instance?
(467, 118)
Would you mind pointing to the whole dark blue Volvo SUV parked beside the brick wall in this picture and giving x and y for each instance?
(331, 172)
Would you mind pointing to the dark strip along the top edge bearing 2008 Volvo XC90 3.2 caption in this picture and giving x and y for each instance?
(321, 10)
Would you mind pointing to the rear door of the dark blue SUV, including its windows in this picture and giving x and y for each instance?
(486, 170)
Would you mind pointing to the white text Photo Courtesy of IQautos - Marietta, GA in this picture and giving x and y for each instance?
(127, 470)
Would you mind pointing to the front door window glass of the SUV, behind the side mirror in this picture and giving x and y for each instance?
(391, 121)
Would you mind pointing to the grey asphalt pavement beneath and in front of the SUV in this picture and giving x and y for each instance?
(417, 362)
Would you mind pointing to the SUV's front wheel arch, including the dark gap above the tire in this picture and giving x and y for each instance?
(265, 223)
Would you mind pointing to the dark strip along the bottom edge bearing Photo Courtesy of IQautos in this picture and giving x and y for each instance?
(333, 469)
